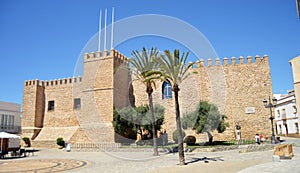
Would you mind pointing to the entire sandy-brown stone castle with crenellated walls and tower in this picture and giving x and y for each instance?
(80, 109)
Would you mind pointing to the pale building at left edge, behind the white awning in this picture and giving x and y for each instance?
(10, 120)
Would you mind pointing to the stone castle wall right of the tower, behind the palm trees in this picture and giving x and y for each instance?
(232, 87)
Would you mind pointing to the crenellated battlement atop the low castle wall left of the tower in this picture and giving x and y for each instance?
(55, 82)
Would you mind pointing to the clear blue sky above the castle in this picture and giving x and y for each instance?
(43, 39)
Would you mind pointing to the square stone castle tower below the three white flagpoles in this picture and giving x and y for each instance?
(105, 86)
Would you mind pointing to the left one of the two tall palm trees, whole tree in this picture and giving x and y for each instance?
(144, 68)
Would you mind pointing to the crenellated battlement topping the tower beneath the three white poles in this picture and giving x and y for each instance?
(97, 55)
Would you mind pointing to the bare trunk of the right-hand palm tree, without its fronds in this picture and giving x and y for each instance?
(179, 130)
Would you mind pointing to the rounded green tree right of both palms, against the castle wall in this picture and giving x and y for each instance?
(206, 118)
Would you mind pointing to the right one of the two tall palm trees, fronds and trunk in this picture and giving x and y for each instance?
(174, 68)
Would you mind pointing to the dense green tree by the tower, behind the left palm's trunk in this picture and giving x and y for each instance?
(130, 121)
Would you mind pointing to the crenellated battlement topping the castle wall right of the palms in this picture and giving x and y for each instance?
(234, 61)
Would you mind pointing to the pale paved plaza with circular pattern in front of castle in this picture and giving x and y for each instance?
(55, 160)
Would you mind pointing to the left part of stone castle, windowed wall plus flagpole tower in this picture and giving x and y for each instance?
(90, 123)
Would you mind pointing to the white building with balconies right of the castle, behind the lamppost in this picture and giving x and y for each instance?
(286, 115)
